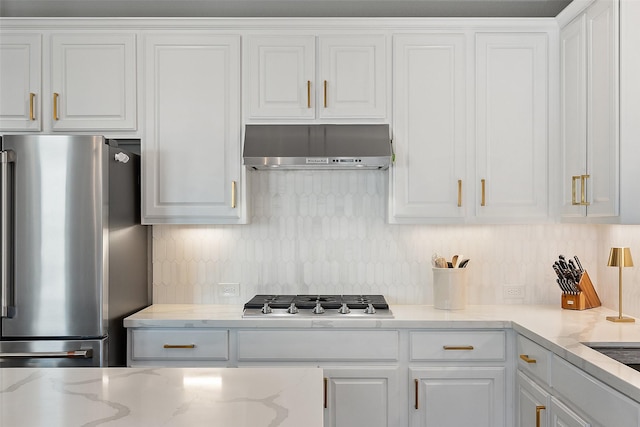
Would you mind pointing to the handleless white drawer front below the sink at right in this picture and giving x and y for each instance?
(599, 402)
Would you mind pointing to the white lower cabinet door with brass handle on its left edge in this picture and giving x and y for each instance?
(458, 396)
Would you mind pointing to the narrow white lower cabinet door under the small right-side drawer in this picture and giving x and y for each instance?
(533, 403)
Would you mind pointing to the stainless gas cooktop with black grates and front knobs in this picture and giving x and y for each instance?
(295, 306)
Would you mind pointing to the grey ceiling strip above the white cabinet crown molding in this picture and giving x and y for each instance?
(282, 8)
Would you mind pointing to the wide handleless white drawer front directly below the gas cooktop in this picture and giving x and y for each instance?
(333, 345)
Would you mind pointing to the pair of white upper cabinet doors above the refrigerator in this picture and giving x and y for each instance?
(89, 82)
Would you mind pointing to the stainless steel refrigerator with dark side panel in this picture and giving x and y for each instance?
(73, 255)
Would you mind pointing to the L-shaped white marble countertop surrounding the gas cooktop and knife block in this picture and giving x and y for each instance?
(561, 331)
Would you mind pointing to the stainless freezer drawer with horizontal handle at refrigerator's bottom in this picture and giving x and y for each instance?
(53, 353)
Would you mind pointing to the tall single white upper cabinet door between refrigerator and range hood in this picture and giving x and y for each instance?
(191, 149)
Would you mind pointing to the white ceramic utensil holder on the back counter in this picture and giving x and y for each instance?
(449, 288)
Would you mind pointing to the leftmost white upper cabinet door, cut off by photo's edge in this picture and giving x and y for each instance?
(20, 82)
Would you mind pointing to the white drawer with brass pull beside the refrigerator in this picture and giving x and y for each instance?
(179, 344)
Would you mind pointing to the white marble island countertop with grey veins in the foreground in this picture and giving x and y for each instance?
(135, 397)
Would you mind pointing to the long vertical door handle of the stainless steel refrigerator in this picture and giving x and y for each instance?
(6, 223)
